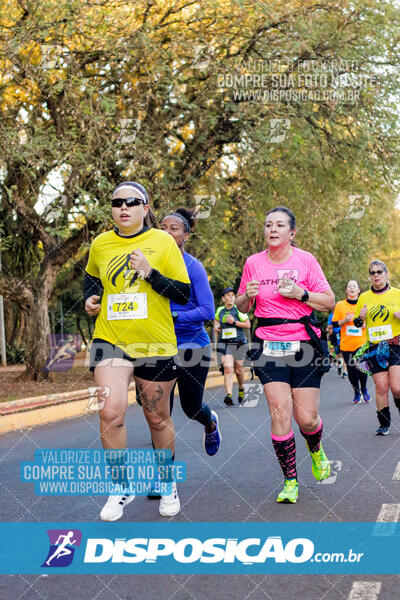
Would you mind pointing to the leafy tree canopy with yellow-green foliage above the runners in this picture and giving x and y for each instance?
(238, 106)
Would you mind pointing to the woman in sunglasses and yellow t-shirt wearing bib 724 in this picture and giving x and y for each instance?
(140, 270)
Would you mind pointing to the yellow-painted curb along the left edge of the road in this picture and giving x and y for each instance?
(40, 410)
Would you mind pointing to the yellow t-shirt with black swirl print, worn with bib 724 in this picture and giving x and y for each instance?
(109, 261)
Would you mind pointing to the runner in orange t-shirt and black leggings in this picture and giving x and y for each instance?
(351, 339)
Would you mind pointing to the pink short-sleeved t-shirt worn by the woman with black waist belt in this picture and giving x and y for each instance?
(304, 269)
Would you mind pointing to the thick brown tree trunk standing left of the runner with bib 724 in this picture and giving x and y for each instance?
(38, 327)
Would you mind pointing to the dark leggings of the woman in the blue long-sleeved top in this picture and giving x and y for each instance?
(192, 372)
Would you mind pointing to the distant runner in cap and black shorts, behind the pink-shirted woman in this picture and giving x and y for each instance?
(232, 343)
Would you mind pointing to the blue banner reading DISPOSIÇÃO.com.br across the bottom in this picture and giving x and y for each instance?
(192, 548)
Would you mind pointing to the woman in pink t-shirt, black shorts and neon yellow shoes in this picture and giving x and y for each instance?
(285, 284)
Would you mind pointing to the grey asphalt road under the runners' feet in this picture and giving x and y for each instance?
(240, 484)
